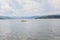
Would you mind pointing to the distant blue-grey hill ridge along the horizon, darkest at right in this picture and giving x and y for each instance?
(31, 17)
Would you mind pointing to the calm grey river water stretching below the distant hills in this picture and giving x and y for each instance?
(30, 29)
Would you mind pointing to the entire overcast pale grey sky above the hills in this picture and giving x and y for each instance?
(29, 7)
